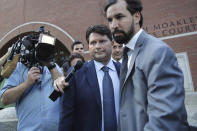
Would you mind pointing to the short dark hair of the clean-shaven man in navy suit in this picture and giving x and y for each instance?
(100, 29)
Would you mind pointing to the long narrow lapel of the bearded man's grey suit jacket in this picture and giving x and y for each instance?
(134, 55)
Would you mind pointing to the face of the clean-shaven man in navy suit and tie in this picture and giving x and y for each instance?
(100, 47)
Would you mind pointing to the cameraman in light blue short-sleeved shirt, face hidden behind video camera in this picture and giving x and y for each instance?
(29, 88)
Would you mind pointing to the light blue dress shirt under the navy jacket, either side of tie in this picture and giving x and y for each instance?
(115, 80)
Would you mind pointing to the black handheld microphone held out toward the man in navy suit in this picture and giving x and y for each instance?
(55, 94)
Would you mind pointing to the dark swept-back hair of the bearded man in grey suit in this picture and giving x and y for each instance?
(133, 6)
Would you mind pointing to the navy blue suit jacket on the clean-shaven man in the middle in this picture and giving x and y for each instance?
(81, 110)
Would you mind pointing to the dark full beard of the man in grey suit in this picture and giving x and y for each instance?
(124, 37)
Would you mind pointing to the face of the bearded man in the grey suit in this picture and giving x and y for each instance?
(121, 22)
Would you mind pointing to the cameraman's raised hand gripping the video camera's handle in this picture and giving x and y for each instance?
(33, 75)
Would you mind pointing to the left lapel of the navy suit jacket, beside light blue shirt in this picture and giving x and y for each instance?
(93, 82)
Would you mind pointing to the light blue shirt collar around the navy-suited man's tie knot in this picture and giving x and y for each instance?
(99, 65)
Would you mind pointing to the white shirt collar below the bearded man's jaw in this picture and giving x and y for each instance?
(131, 44)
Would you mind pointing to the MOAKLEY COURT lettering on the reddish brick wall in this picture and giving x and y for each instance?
(173, 27)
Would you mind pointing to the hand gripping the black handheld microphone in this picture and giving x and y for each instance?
(60, 84)
